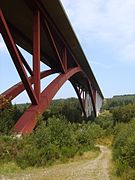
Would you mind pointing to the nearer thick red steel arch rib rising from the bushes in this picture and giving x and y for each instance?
(29, 119)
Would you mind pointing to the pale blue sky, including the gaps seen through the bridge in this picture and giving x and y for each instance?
(106, 32)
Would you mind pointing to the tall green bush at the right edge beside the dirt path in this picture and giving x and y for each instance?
(124, 147)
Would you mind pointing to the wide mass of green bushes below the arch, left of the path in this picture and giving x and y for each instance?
(59, 139)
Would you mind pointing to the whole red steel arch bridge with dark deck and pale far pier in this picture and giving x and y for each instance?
(41, 27)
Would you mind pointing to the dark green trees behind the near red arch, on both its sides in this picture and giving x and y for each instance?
(69, 108)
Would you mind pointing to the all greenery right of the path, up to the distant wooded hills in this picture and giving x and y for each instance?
(120, 110)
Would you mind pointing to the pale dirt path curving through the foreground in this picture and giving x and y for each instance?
(97, 169)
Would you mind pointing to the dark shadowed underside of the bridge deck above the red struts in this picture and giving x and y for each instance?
(19, 15)
